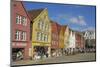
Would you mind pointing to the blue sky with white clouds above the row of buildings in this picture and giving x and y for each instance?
(77, 17)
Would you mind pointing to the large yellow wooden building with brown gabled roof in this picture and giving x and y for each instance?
(41, 32)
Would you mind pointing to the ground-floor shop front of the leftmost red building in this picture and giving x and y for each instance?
(19, 51)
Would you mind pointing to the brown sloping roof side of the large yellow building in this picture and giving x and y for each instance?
(34, 13)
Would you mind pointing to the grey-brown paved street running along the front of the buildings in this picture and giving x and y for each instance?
(70, 58)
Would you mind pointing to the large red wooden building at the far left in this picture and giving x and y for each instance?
(20, 32)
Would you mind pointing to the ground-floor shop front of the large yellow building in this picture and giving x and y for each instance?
(40, 51)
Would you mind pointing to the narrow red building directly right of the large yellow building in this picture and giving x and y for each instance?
(54, 39)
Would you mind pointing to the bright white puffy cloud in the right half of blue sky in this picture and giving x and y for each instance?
(78, 20)
